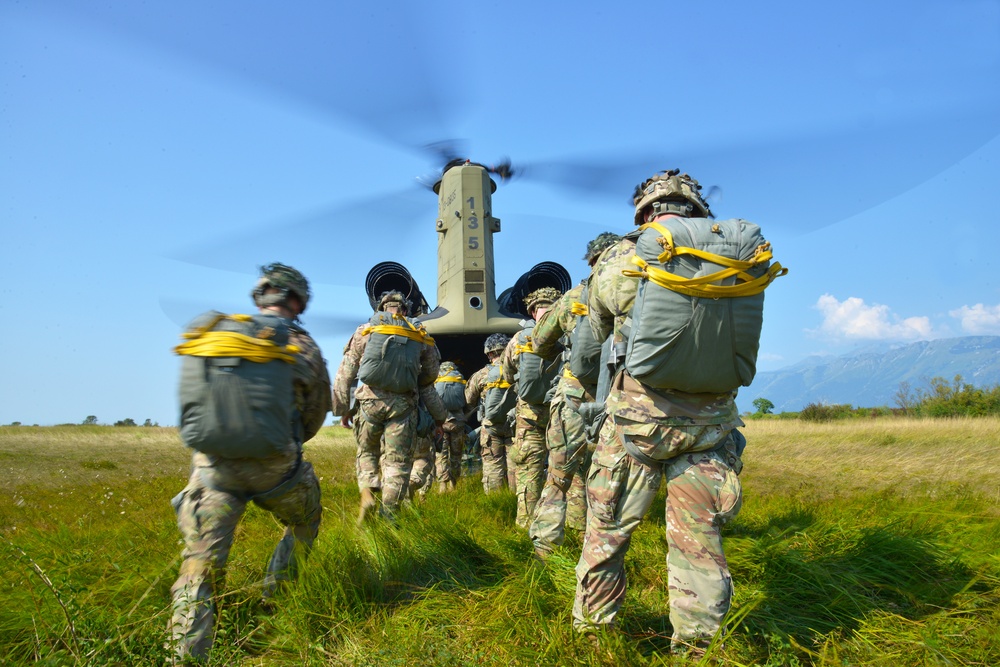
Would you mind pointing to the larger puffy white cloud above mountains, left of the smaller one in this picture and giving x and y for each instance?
(853, 319)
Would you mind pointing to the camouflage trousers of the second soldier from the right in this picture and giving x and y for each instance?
(567, 443)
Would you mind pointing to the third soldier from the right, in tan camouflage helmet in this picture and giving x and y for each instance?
(534, 379)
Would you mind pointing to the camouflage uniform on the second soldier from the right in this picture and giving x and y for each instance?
(565, 436)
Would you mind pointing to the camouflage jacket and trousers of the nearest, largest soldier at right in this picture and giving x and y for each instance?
(693, 435)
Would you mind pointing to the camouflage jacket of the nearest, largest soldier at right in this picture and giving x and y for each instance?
(612, 296)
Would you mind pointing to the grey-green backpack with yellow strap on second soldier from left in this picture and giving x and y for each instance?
(391, 360)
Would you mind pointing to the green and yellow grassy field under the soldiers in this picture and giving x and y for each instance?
(868, 542)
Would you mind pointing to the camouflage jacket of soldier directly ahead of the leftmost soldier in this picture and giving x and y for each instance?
(347, 377)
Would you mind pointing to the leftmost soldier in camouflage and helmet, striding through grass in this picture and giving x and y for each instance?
(210, 506)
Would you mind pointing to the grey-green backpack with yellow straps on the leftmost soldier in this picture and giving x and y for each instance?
(236, 394)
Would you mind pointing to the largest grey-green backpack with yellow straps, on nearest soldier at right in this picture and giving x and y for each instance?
(697, 316)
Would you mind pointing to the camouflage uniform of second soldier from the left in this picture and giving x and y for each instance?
(385, 416)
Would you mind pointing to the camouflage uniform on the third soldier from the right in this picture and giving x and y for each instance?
(528, 452)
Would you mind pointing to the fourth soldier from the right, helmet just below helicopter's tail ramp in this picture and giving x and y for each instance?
(494, 434)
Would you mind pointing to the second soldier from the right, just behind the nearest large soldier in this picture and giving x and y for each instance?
(565, 436)
